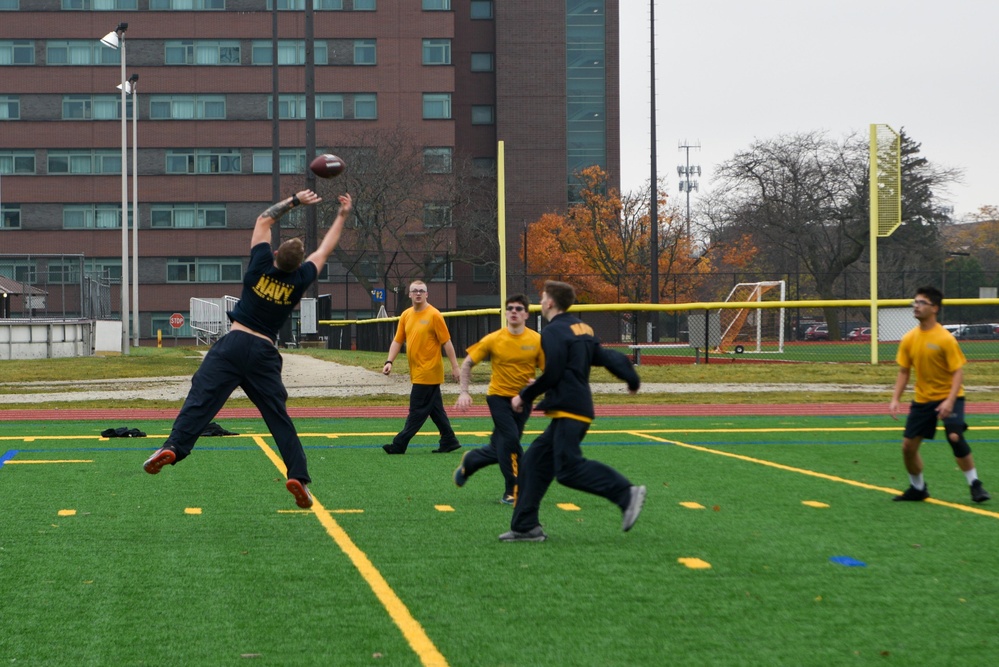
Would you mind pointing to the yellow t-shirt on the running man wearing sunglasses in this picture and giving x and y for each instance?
(513, 357)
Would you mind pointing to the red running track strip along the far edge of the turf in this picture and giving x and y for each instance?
(399, 412)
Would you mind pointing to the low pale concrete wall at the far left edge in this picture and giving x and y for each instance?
(49, 339)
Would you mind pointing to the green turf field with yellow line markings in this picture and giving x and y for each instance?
(764, 541)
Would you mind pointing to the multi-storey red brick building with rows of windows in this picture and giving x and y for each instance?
(458, 75)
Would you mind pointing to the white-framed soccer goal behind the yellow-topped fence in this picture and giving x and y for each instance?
(759, 330)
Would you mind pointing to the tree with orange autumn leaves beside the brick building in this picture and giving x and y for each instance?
(603, 246)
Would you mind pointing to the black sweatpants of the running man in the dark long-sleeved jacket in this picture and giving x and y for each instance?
(556, 454)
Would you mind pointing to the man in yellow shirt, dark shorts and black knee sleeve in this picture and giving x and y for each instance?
(939, 363)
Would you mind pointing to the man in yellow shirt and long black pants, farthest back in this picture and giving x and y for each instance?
(422, 329)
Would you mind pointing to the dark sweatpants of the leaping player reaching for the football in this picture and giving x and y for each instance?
(242, 360)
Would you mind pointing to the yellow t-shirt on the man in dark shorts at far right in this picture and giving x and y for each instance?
(935, 356)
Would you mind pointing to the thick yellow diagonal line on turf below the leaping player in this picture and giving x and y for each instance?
(411, 629)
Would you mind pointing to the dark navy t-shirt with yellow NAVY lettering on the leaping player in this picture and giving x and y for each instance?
(270, 294)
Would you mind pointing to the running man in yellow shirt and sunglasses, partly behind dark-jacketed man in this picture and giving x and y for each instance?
(514, 352)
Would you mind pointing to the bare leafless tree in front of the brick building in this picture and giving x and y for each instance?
(417, 210)
